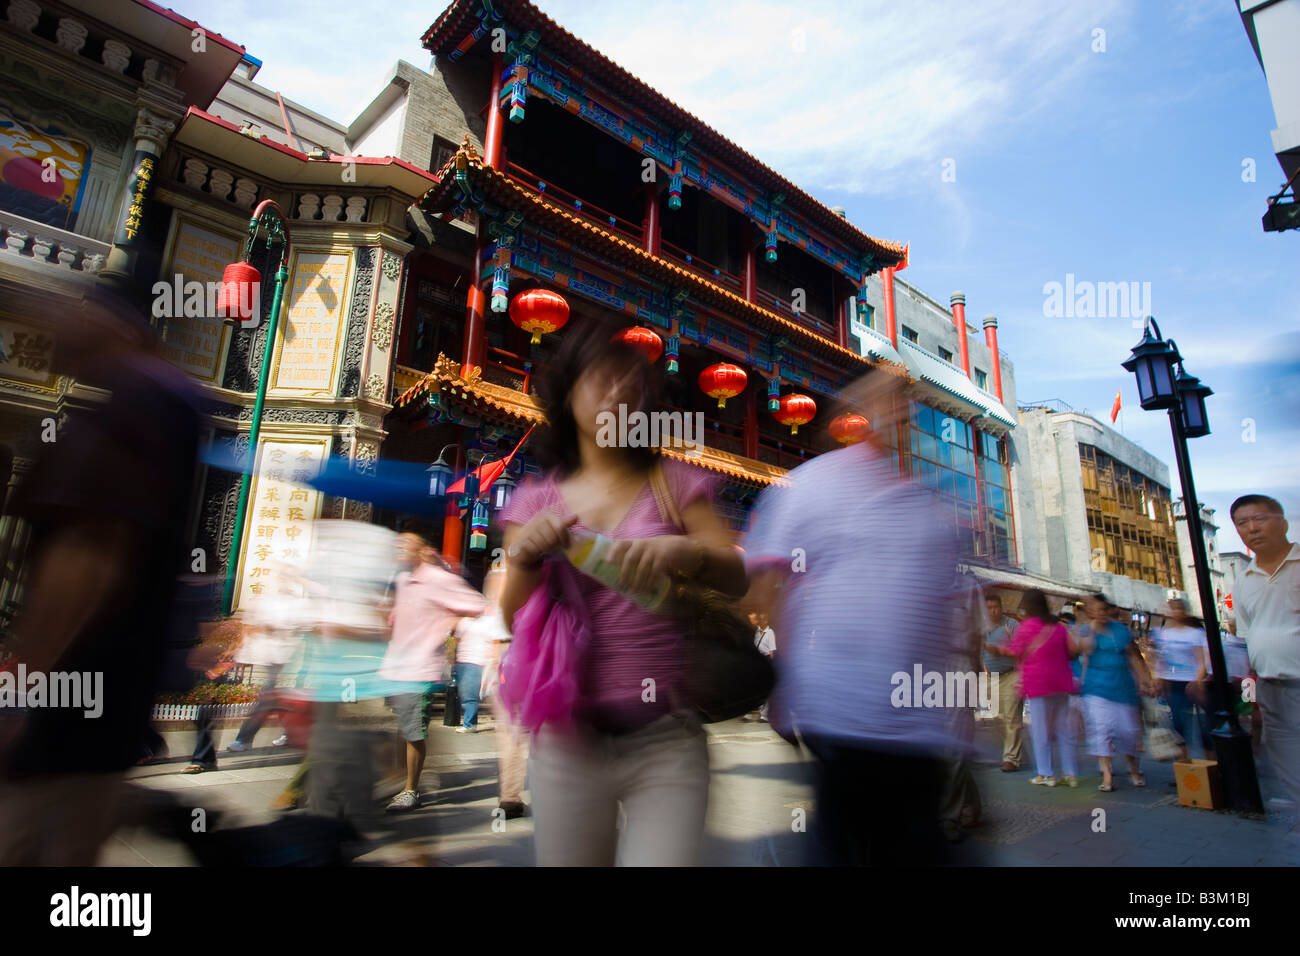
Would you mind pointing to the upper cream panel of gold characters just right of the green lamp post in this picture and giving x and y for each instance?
(318, 300)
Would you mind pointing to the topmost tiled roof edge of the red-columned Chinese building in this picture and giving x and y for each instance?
(461, 16)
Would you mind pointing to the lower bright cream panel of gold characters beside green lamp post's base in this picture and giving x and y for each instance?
(279, 524)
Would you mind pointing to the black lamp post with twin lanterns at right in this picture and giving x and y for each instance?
(1154, 364)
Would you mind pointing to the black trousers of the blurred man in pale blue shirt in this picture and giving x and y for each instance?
(877, 808)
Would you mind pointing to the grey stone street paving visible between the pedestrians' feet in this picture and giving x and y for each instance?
(761, 793)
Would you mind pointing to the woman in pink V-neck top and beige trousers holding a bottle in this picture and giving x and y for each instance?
(634, 747)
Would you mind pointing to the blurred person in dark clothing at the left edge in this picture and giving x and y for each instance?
(109, 507)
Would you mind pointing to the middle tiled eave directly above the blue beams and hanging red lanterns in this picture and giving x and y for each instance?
(508, 192)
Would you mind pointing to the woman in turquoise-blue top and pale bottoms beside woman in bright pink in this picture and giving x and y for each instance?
(1113, 677)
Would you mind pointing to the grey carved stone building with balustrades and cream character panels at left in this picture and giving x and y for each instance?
(162, 145)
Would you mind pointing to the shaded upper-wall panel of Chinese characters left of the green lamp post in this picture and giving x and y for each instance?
(194, 343)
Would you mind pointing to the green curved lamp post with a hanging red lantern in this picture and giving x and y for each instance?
(267, 215)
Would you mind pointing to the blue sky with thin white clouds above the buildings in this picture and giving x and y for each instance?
(1116, 166)
